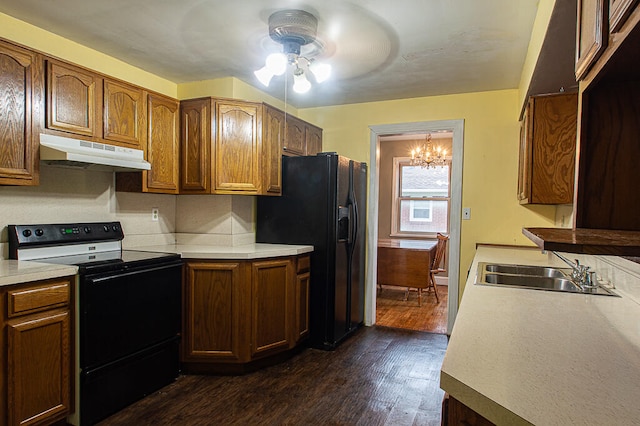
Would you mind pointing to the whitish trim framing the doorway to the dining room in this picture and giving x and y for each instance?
(457, 127)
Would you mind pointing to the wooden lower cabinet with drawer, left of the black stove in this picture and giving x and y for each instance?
(37, 352)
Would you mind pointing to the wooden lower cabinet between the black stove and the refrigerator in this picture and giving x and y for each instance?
(238, 312)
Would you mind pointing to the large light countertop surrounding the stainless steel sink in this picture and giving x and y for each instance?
(521, 356)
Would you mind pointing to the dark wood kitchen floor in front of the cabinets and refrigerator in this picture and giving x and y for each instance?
(379, 376)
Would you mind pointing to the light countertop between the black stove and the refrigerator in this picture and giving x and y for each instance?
(243, 252)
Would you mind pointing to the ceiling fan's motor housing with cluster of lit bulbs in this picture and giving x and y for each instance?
(293, 29)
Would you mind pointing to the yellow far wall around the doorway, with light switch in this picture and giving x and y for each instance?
(490, 171)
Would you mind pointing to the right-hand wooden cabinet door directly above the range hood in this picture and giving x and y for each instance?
(124, 114)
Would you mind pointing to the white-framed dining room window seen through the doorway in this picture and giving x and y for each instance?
(421, 199)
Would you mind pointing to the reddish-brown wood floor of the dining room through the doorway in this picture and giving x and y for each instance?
(393, 311)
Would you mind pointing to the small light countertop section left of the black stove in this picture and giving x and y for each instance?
(17, 271)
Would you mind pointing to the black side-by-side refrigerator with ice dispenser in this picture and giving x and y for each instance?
(323, 204)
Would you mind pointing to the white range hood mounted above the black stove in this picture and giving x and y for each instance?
(75, 153)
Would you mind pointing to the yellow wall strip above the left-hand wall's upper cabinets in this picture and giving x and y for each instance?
(35, 38)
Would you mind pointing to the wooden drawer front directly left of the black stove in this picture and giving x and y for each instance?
(53, 294)
